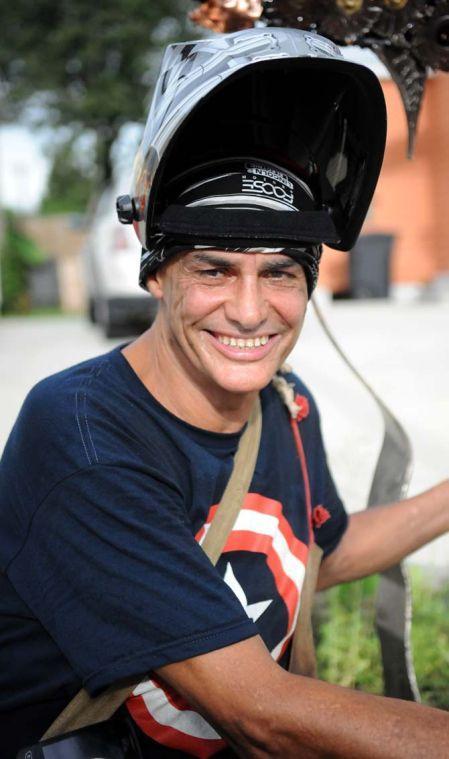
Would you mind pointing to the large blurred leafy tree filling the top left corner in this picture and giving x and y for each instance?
(88, 66)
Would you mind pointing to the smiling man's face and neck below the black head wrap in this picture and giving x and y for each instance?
(227, 321)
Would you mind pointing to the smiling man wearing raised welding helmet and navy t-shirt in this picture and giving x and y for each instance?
(114, 469)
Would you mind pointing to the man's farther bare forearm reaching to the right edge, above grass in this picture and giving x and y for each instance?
(379, 537)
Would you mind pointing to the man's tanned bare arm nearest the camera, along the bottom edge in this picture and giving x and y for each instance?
(264, 711)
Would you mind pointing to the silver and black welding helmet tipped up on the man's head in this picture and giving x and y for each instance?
(276, 107)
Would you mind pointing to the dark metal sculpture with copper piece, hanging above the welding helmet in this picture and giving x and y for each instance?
(409, 36)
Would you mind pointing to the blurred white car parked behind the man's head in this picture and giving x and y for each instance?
(112, 256)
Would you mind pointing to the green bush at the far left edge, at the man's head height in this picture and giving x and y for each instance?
(18, 254)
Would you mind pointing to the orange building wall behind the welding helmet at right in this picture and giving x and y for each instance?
(412, 198)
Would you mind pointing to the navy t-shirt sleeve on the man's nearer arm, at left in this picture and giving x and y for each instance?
(112, 570)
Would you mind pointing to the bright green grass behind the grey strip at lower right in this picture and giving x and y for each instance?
(348, 650)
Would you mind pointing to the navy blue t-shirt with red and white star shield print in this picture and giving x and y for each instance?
(105, 497)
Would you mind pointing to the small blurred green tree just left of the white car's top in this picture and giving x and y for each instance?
(70, 185)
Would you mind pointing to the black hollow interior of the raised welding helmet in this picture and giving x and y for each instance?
(323, 121)
